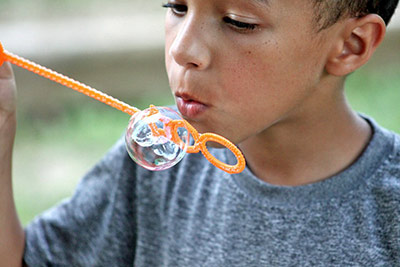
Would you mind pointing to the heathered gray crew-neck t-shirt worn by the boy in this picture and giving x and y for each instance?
(197, 215)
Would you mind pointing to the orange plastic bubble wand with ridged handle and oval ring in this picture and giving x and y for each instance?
(200, 139)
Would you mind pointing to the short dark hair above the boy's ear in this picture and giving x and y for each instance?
(330, 11)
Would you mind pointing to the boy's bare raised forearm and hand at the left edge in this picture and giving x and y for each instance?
(11, 233)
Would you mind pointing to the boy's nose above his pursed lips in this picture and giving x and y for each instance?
(190, 48)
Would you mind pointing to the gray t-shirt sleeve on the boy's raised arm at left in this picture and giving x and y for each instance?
(96, 226)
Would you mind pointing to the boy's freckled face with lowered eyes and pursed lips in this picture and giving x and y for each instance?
(236, 67)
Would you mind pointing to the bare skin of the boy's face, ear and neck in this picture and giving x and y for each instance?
(277, 90)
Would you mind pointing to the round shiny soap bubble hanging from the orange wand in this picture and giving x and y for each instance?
(152, 138)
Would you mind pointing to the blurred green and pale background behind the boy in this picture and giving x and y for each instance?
(61, 133)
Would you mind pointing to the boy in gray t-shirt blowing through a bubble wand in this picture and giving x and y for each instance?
(322, 183)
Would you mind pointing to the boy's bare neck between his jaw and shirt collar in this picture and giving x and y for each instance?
(306, 148)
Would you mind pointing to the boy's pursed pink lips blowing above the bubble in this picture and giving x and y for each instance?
(189, 107)
